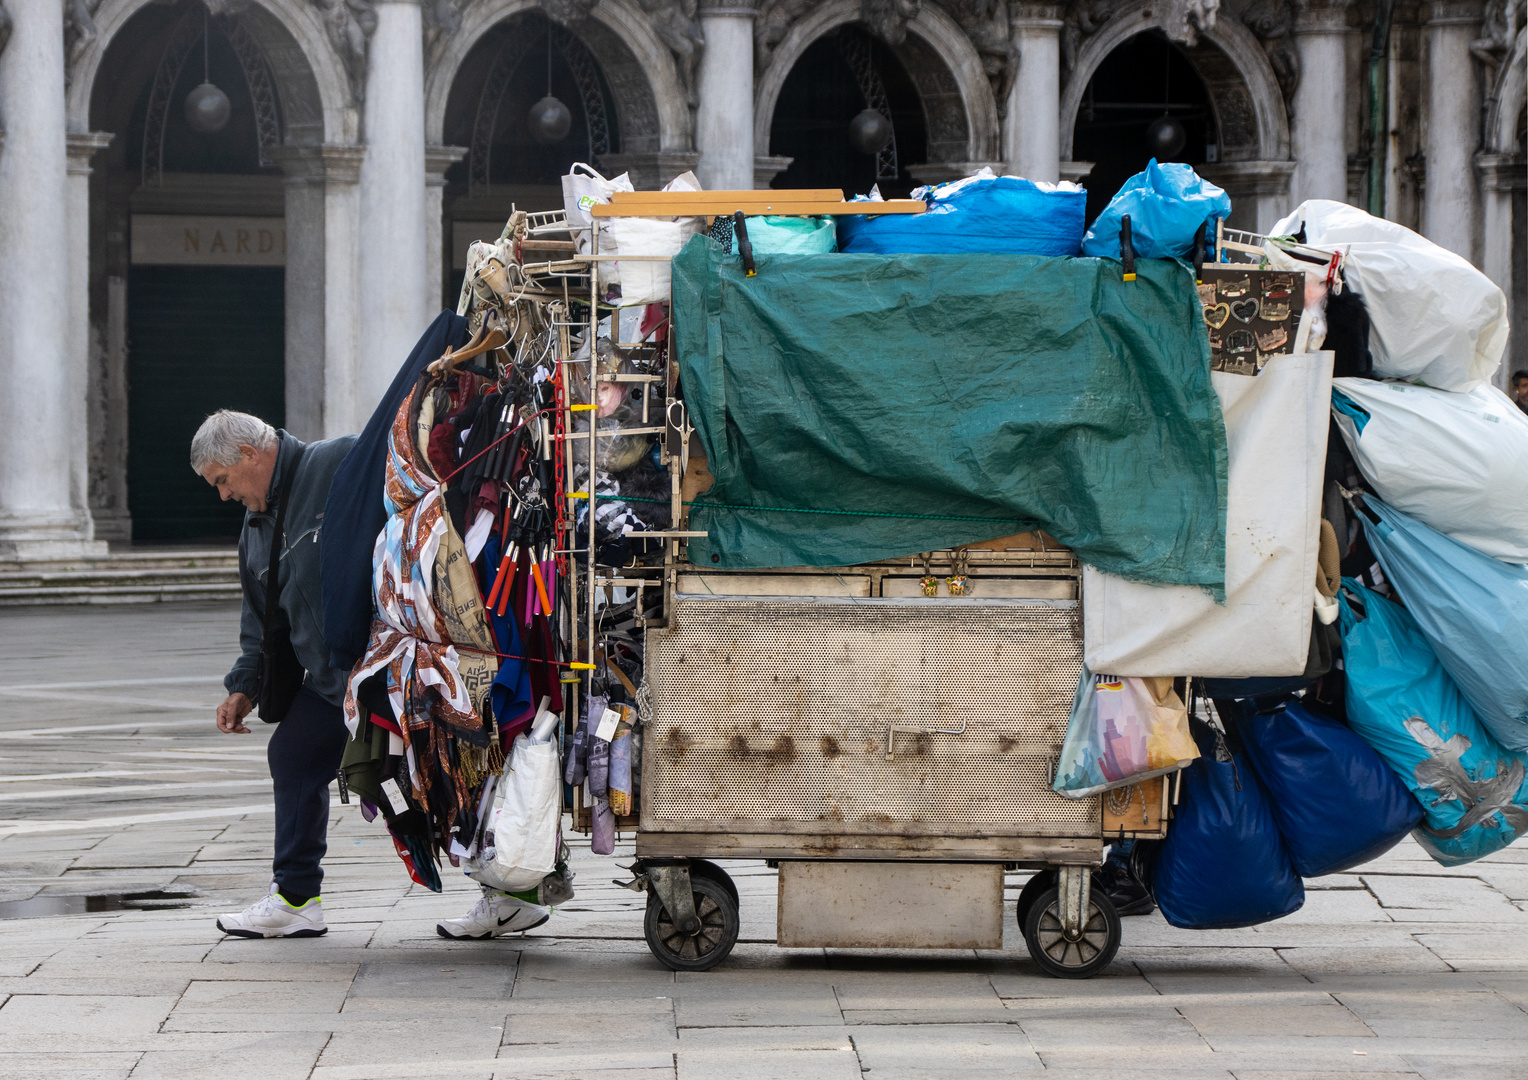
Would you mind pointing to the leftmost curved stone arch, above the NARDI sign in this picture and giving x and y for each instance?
(309, 79)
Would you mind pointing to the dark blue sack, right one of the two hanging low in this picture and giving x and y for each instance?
(1336, 801)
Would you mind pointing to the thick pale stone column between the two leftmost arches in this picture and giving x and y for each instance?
(393, 239)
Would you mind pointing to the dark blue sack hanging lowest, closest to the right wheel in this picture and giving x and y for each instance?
(1223, 864)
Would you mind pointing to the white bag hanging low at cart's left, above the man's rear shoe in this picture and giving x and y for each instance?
(525, 824)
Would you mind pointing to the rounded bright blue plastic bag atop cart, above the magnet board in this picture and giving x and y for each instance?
(1168, 204)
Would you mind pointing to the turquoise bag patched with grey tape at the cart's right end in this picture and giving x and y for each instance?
(1403, 703)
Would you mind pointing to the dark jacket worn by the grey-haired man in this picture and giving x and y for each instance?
(299, 598)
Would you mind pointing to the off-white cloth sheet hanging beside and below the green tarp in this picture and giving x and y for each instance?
(1277, 432)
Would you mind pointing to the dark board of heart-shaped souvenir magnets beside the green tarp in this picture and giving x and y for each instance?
(1251, 315)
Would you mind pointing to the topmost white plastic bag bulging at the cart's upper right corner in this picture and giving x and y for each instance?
(1432, 317)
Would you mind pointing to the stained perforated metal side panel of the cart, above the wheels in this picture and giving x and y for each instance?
(772, 717)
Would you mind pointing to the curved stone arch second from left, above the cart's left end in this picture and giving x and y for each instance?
(652, 106)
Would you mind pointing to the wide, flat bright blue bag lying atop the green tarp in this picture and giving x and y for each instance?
(999, 216)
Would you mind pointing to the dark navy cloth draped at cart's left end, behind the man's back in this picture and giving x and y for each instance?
(354, 516)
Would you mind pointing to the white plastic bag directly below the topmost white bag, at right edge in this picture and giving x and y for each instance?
(1454, 462)
